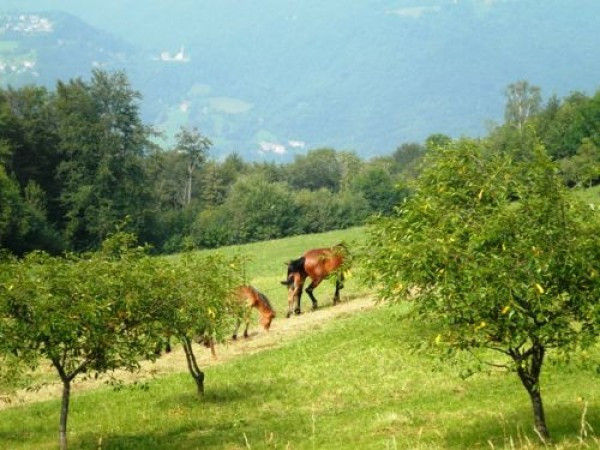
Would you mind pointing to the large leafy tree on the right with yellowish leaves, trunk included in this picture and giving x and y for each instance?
(498, 252)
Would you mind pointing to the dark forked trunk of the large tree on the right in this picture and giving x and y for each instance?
(529, 366)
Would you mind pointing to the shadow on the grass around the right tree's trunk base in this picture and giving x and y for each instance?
(515, 430)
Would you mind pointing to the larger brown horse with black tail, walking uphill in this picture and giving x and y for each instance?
(317, 264)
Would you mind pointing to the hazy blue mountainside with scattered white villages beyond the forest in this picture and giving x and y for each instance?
(271, 78)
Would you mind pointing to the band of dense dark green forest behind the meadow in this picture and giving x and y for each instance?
(77, 162)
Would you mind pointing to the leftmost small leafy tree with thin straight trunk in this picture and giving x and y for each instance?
(86, 315)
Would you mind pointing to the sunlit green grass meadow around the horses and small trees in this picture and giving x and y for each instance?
(356, 381)
